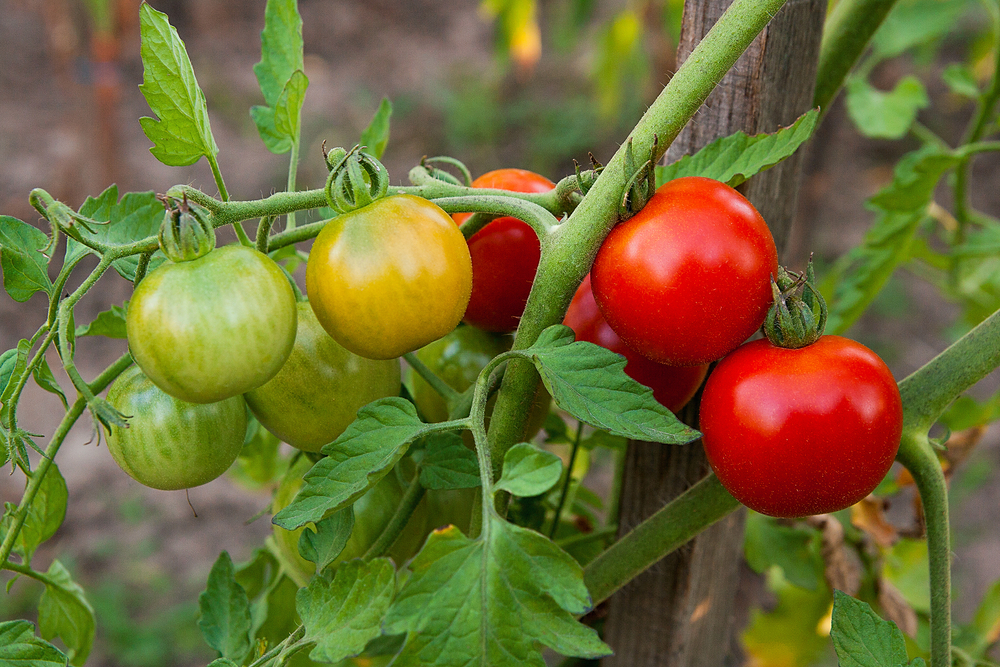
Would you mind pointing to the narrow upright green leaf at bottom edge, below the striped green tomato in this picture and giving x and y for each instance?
(225, 612)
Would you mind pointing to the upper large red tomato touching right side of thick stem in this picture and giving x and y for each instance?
(688, 278)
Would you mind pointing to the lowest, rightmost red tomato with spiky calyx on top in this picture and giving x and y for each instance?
(792, 433)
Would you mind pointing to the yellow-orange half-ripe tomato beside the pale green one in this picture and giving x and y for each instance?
(390, 277)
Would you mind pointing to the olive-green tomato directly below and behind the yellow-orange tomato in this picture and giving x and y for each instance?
(318, 392)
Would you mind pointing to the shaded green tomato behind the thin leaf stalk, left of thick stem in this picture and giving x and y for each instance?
(458, 359)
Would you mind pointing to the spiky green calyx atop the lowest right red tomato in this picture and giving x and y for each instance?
(798, 316)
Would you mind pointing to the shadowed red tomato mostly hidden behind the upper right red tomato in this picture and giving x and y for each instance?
(673, 386)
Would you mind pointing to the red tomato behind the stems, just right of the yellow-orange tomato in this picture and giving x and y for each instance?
(505, 257)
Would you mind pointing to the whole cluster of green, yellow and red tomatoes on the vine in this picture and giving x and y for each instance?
(680, 285)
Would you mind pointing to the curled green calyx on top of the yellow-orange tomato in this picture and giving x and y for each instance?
(356, 179)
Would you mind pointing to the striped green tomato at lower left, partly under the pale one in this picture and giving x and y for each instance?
(169, 443)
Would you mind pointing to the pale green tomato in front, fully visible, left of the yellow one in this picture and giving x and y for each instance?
(213, 327)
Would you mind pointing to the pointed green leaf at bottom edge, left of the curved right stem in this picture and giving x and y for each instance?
(863, 639)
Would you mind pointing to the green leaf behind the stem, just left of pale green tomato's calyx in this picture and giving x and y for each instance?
(136, 217)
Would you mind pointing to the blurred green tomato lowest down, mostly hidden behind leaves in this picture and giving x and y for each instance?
(372, 513)
